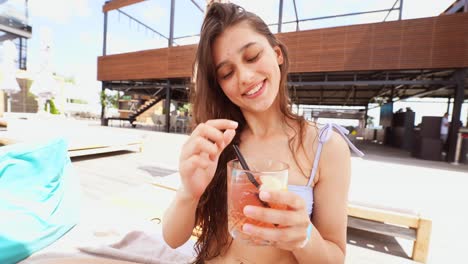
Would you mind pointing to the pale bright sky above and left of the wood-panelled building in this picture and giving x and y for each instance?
(74, 28)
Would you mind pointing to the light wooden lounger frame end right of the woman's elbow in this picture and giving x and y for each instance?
(393, 222)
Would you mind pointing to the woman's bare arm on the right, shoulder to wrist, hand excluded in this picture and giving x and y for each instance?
(327, 242)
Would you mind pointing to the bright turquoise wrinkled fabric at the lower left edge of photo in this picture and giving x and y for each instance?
(39, 197)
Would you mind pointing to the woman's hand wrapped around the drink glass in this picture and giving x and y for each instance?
(294, 222)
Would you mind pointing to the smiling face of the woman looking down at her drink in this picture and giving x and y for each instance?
(247, 67)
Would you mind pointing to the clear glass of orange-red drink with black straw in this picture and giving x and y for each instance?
(243, 189)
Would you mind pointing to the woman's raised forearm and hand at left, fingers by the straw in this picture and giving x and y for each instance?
(197, 165)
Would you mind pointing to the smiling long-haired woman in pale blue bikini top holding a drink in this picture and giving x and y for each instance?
(240, 97)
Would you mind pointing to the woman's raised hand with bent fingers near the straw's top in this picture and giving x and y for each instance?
(200, 154)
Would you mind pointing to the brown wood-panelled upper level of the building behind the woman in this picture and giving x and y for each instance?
(343, 66)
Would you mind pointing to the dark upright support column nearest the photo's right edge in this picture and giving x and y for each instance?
(459, 78)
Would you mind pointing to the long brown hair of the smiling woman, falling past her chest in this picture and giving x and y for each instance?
(210, 102)
